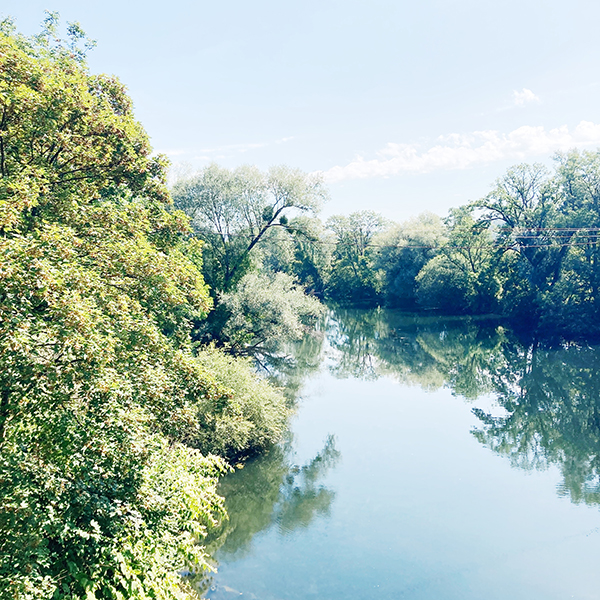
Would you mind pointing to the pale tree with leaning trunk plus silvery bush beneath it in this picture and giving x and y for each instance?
(249, 221)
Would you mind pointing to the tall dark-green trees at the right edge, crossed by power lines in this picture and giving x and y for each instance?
(547, 240)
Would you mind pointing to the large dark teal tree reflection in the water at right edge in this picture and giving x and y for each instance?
(552, 403)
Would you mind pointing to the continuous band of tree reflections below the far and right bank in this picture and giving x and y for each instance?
(550, 396)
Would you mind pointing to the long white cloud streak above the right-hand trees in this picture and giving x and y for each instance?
(458, 151)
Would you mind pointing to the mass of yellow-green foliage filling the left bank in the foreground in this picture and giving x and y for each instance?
(104, 408)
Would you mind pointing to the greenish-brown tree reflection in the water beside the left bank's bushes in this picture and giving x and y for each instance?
(270, 491)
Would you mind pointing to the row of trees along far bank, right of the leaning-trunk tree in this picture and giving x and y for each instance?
(527, 251)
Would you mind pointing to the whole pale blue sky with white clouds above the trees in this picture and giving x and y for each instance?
(404, 106)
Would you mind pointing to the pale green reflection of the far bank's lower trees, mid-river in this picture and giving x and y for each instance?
(429, 352)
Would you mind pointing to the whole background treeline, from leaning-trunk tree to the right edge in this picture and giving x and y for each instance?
(528, 251)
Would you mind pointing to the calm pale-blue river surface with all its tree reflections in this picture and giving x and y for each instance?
(428, 459)
